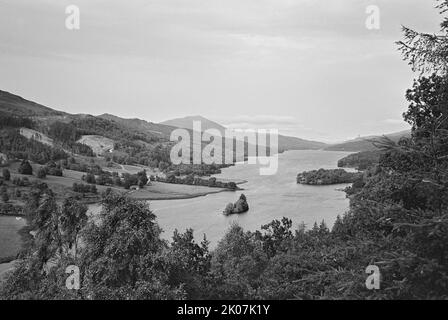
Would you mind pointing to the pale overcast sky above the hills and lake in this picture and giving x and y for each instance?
(308, 67)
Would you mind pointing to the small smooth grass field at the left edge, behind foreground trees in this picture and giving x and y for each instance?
(10, 240)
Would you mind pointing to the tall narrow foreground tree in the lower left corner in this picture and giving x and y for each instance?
(34, 277)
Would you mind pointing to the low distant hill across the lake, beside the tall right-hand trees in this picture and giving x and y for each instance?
(365, 143)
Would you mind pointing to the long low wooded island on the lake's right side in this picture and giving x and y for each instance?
(327, 177)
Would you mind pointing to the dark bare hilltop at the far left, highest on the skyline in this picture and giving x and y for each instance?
(16, 105)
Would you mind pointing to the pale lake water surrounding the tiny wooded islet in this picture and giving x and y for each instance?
(269, 197)
